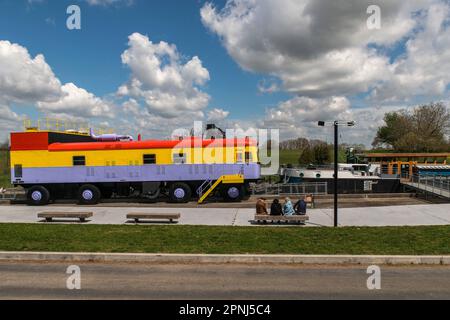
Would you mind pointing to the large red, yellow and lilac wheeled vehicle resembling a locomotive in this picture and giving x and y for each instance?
(54, 165)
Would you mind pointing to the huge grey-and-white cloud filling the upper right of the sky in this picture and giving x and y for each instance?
(321, 48)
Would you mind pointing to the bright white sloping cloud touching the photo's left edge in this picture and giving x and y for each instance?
(25, 80)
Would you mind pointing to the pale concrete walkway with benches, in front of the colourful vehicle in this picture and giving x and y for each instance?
(433, 214)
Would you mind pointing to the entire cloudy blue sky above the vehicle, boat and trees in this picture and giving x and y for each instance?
(152, 66)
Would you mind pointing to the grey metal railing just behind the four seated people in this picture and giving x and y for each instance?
(314, 188)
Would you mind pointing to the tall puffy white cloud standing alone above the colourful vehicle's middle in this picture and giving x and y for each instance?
(161, 81)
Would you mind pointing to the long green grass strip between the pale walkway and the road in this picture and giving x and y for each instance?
(238, 240)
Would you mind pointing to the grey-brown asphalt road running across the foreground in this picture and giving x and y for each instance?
(138, 281)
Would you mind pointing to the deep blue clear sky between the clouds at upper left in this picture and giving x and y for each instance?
(90, 57)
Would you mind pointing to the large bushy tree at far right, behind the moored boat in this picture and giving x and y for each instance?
(424, 129)
